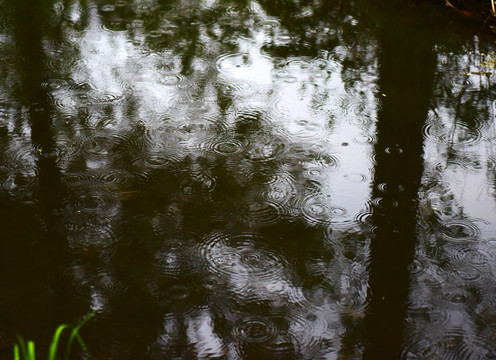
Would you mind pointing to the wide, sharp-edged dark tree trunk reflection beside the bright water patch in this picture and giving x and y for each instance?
(405, 84)
